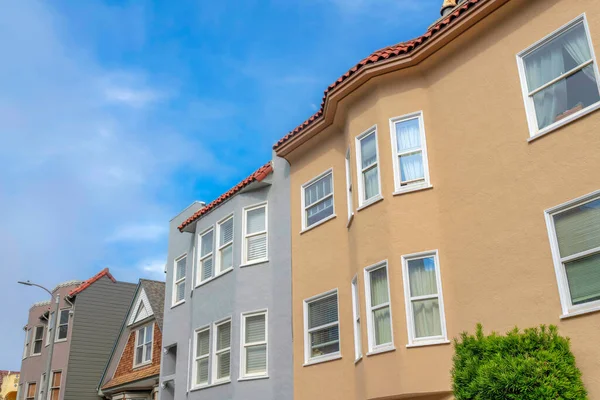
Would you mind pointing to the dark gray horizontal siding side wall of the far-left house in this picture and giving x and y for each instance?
(99, 313)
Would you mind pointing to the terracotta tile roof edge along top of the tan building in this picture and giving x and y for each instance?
(381, 55)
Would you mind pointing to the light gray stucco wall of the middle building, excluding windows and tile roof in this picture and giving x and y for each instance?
(245, 289)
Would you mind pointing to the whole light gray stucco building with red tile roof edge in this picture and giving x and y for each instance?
(227, 318)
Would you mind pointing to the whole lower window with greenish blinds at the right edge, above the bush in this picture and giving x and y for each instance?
(574, 230)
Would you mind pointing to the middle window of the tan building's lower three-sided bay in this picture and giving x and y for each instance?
(379, 311)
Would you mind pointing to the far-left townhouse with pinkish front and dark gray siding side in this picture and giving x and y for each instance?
(90, 315)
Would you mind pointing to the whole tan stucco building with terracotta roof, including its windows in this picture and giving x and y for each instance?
(448, 181)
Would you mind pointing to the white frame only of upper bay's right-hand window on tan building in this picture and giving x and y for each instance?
(410, 186)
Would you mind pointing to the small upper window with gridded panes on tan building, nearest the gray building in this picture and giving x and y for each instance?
(317, 199)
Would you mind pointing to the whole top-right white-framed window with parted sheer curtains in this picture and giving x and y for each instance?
(559, 77)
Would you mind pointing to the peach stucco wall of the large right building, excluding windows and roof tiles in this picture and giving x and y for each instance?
(485, 213)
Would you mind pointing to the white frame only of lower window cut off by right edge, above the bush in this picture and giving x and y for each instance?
(568, 309)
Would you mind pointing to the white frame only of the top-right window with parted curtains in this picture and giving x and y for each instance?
(534, 132)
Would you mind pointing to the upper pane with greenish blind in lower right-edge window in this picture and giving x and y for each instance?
(578, 229)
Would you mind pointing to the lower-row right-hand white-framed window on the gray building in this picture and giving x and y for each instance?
(254, 338)
